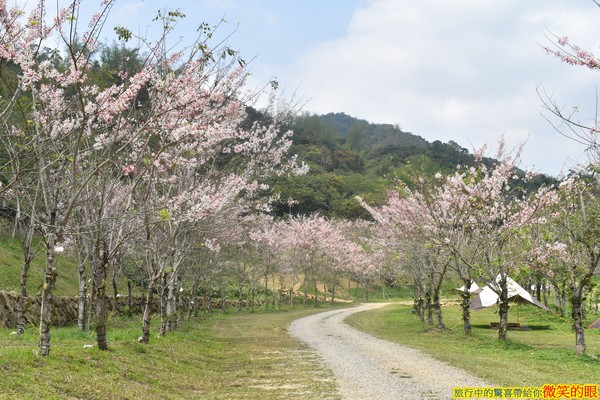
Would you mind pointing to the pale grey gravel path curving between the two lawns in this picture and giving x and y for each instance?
(370, 368)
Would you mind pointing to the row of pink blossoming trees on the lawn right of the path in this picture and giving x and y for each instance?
(472, 220)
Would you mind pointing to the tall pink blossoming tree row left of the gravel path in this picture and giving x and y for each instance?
(142, 159)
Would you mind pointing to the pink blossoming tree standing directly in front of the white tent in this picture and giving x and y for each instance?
(497, 211)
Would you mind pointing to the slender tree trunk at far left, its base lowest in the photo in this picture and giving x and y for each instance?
(46, 308)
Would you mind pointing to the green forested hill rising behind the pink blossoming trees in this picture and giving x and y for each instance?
(350, 157)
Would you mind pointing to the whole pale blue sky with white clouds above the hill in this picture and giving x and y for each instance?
(462, 70)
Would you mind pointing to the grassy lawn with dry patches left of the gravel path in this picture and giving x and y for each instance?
(223, 356)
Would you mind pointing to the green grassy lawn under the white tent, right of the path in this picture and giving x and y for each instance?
(543, 355)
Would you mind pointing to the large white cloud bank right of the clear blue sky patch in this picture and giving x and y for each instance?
(465, 70)
